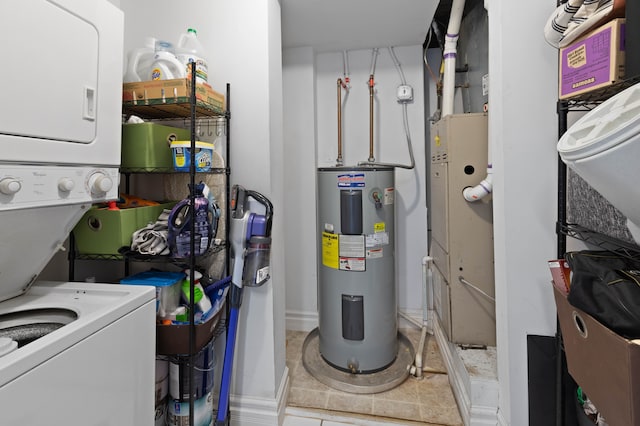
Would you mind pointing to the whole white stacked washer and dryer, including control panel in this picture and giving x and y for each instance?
(70, 353)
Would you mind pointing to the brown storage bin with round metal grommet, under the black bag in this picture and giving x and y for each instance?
(604, 364)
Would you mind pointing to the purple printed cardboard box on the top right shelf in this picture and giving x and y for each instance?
(594, 61)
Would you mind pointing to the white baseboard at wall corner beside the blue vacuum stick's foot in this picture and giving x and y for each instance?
(250, 411)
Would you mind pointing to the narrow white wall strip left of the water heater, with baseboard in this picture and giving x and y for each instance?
(299, 78)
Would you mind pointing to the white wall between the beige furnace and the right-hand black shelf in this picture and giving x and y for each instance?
(523, 126)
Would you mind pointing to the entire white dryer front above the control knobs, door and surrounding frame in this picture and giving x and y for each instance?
(61, 82)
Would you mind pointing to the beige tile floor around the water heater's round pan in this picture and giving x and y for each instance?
(425, 401)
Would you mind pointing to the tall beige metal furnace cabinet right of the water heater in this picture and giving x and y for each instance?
(462, 231)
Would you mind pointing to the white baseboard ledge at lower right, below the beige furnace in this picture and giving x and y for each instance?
(477, 398)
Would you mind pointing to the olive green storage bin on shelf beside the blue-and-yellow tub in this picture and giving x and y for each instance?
(147, 146)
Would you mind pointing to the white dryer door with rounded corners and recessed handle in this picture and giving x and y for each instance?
(49, 74)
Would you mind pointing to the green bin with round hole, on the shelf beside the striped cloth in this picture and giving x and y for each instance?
(103, 232)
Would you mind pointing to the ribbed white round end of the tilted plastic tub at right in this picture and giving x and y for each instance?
(614, 121)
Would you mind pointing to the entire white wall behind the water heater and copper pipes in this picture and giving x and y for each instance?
(311, 135)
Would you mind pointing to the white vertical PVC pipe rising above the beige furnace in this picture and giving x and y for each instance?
(449, 56)
